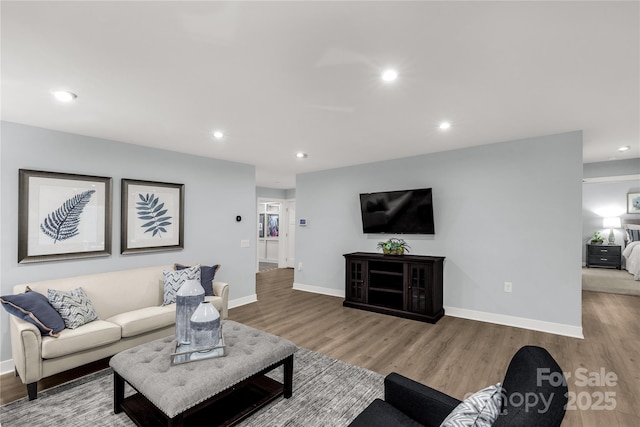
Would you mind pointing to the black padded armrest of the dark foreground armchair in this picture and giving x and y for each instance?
(420, 402)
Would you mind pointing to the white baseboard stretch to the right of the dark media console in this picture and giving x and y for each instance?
(517, 322)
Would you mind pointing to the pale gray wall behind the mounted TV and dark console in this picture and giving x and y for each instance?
(503, 212)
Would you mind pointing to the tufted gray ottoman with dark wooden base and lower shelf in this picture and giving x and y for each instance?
(216, 390)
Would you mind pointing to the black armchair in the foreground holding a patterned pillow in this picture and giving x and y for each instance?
(534, 394)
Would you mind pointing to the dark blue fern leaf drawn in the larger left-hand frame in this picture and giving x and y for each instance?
(62, 224)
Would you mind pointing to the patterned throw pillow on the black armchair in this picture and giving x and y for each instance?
(481, 409)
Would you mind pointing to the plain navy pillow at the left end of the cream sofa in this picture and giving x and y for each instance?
(36, 309)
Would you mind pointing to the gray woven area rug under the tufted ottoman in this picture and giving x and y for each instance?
(326, 392)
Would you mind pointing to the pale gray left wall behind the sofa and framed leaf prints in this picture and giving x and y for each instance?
(215, 192)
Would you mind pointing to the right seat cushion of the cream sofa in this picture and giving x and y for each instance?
(144, 320)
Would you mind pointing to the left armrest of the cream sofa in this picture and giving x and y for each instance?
(26, 349)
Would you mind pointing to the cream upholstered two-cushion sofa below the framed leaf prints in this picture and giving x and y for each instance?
(130, 312)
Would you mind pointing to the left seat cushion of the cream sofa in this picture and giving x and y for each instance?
(90, 335)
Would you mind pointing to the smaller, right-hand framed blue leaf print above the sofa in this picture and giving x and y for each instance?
(152, 216)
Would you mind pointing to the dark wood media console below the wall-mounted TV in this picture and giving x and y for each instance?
(407, 286)
